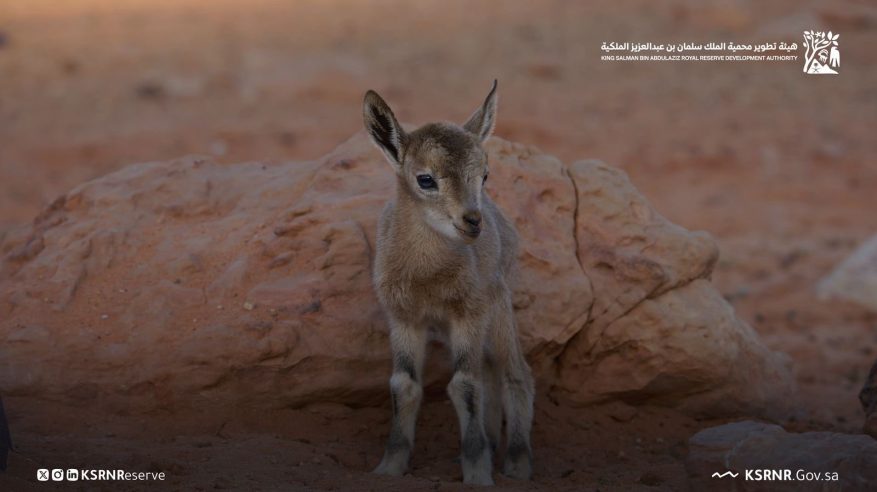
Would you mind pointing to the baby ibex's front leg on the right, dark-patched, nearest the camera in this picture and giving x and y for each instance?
(466, 390)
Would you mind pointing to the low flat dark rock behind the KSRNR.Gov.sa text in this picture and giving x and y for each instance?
(752, 445)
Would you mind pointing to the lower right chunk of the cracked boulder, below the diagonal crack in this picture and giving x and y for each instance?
(686, 341)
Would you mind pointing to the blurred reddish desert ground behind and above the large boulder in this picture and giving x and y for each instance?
(779, 166)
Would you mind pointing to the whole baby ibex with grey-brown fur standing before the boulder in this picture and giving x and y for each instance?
(444, 257)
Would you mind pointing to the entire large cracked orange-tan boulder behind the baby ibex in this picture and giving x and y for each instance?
(188, 283)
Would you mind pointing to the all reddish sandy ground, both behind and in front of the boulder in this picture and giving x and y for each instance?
(777, 165)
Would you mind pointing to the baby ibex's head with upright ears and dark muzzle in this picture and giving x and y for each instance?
(441, 166)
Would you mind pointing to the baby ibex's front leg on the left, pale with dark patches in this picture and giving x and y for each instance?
(409, 344)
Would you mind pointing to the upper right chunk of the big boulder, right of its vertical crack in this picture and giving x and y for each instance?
(626, 247)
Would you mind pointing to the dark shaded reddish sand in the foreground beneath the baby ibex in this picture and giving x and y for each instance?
(331, 447)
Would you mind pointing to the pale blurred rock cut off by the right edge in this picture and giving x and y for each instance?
(855, 279)
